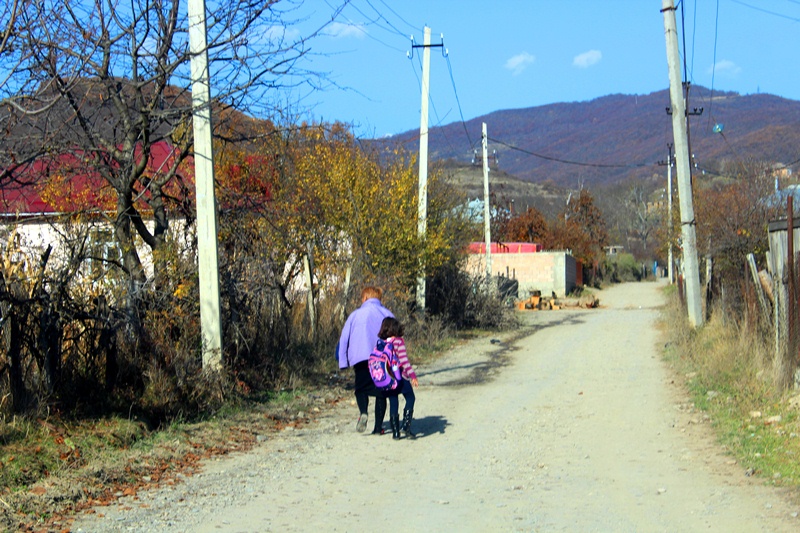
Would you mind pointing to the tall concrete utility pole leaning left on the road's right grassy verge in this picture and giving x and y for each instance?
(683, 168)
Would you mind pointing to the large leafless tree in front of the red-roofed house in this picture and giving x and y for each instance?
(107, 81)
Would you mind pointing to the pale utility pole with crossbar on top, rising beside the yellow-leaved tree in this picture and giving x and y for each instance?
(422, 213)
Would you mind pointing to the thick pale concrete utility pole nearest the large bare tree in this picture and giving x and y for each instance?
(208, 259)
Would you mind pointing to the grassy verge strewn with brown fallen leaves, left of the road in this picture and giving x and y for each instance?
(51, 468)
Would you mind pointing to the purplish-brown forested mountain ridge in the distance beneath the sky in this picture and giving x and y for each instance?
(619, 137)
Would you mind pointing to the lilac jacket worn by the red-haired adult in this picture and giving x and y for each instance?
(360, 332)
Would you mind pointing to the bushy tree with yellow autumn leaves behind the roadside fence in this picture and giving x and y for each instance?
(348, 204)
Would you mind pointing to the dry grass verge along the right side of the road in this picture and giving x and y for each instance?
(728, 371)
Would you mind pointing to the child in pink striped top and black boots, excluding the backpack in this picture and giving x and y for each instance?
(392, 333)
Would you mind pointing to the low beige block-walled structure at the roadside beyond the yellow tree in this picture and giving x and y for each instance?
(544, 271)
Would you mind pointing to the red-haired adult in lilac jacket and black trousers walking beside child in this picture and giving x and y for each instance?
(359, 335)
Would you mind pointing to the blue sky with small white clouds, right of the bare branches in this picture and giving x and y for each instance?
(508, 54)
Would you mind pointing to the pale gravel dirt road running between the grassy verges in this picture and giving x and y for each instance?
(570, 424)
